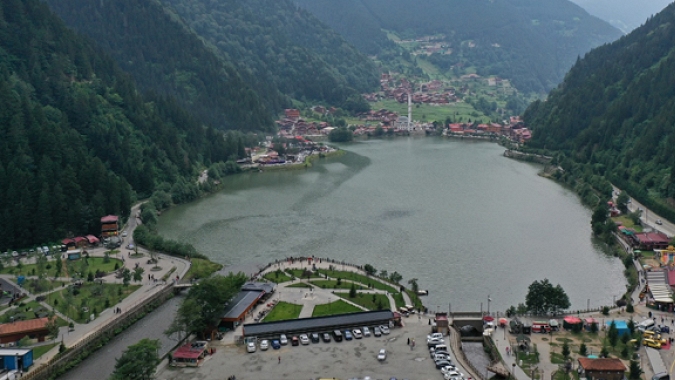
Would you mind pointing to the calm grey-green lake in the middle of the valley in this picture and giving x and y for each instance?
(458, 216)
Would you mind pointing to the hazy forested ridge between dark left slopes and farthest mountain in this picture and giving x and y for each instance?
(281, 44)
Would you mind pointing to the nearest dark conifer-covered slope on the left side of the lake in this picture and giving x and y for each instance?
(76, 138)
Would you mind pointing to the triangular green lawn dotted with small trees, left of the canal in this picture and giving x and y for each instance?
(94, 297)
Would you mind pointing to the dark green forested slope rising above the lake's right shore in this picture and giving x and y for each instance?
(615, 113)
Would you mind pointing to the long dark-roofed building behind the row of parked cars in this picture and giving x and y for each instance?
(308, 325)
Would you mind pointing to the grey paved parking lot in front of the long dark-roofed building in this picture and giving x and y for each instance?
(341, 360)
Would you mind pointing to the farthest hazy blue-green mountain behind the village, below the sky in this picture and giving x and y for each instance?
(531, 42)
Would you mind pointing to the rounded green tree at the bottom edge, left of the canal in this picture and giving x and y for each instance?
(138, 361)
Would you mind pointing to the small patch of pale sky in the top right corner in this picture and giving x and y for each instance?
(625, 15)
